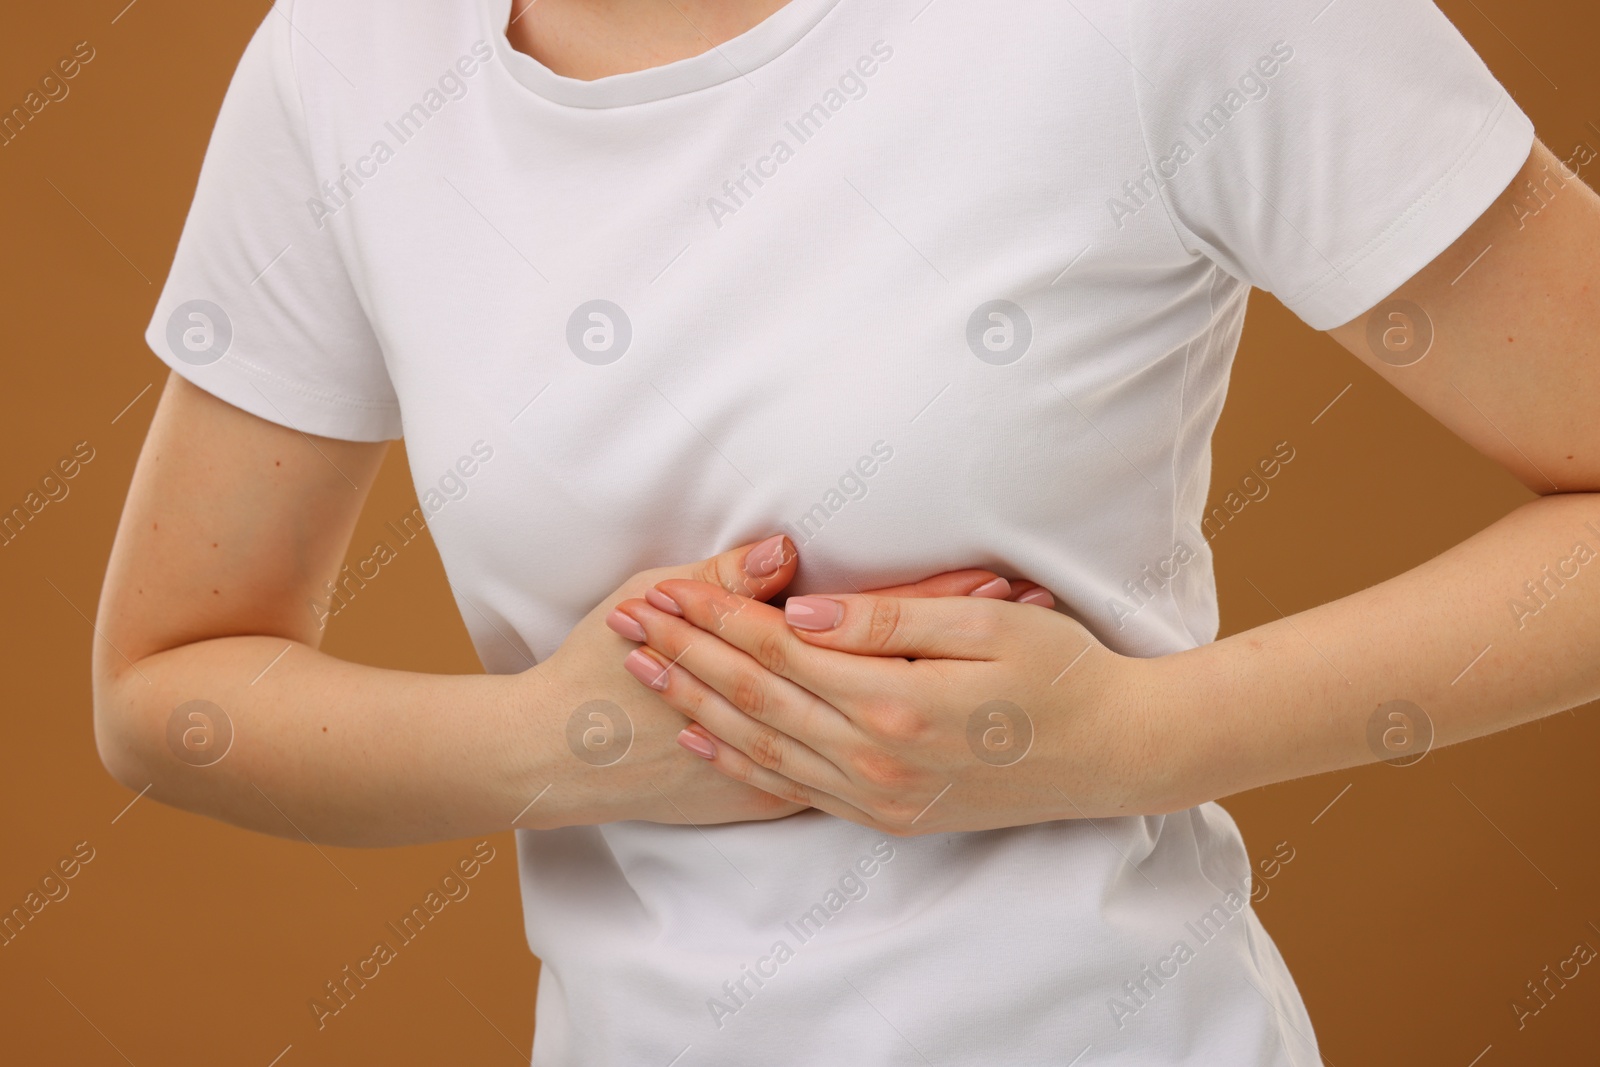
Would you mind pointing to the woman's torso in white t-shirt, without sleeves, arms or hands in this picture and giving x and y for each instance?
(852, 278)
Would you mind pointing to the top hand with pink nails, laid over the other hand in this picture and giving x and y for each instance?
(911, 716)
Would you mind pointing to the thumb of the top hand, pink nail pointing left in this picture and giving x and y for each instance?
(942, 628)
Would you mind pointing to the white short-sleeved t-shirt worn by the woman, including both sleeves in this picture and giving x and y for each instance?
(927, 286)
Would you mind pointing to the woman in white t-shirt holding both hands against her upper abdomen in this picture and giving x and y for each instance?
(833, 297)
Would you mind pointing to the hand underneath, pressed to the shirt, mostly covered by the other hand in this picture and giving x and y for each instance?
(617, 741)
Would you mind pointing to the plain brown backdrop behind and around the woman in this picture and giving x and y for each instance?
(1409, 919)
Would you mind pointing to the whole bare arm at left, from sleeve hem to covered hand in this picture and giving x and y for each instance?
(231, 529)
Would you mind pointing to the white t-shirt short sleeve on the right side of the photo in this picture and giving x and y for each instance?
(1321, 151)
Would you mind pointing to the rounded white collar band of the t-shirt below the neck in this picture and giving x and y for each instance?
(734, 60)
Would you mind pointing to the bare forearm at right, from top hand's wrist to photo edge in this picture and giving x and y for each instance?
(1494, 633)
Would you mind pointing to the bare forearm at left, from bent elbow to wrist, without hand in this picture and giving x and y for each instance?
(292, 741)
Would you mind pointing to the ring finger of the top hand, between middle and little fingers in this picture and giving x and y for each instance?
(759, 741)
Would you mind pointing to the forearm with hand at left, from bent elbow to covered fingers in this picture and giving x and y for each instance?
(276, 737)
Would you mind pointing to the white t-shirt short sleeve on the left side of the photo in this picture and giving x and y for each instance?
(258, 306)
